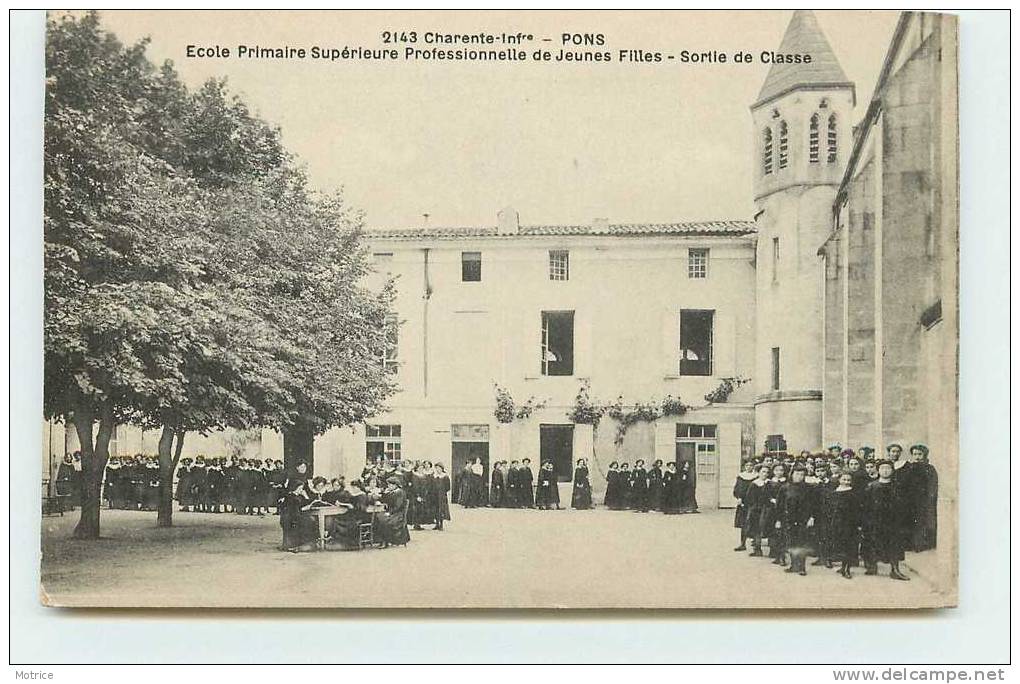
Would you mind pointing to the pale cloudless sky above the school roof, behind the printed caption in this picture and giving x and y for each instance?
(563, 143)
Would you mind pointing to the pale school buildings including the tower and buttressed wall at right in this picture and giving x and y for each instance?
(836, 306)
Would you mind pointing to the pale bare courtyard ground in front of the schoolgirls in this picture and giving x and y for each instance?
(485, 558)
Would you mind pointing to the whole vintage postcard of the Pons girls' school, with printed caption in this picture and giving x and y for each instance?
(501, 310)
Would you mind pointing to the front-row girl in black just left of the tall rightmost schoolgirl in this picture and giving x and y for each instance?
(883, 534)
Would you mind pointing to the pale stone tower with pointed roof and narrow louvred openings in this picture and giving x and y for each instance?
(802, 140)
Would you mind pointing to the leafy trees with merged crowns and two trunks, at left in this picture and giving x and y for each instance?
(192, 282)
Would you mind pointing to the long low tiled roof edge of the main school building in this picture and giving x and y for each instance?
(611, 230)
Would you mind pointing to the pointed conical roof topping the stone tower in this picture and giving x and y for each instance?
(804, 36)
